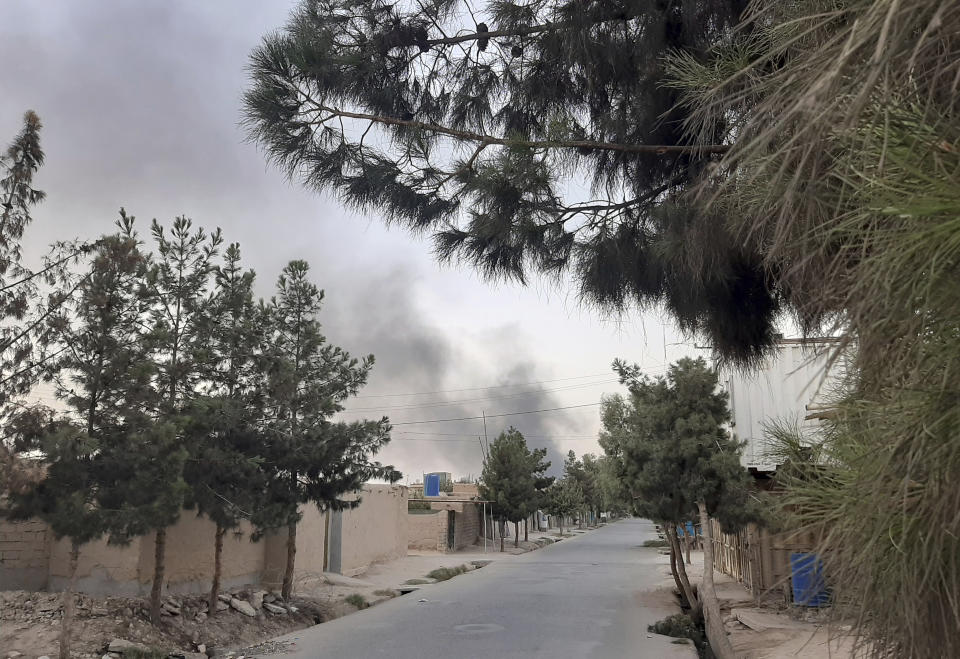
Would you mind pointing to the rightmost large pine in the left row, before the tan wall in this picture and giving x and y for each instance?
(308, 458)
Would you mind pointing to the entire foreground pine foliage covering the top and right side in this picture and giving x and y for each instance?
(768, 161)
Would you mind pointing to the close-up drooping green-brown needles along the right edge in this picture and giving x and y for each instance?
(844, 172)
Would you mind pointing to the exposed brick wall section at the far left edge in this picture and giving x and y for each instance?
(24, 555)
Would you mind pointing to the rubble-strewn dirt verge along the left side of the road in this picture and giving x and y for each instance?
(249, 616)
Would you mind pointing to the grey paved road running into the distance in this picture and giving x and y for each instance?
(582, 597)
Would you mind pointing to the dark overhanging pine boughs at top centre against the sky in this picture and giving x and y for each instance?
(473, 135)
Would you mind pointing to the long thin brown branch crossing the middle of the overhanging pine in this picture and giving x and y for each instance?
(471, 136)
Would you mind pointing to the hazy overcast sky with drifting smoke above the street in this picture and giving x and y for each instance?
(140, 104)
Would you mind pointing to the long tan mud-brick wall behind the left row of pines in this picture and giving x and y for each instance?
(30, 559)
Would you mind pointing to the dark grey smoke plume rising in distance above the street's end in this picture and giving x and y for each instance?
(414, 353)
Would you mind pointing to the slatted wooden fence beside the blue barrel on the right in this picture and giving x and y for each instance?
(758, 559)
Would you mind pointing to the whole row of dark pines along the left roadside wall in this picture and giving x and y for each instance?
(175, 387)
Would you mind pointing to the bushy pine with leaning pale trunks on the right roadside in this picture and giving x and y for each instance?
(680, 463)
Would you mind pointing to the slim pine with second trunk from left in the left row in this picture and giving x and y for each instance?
(179, 280)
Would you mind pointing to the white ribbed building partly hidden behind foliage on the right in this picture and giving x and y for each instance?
(789, 387)
